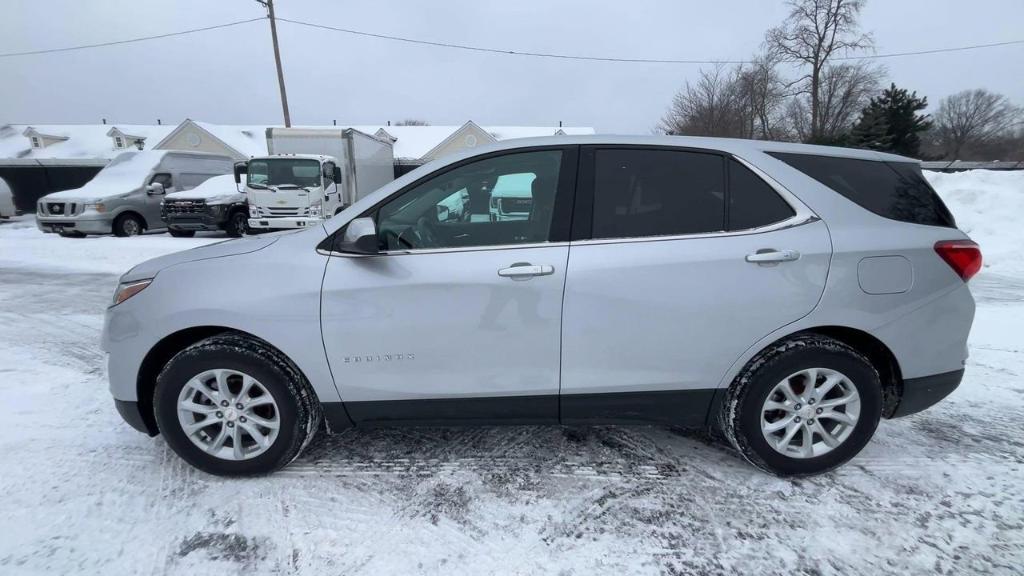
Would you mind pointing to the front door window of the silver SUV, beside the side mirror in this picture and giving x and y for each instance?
(497, 201)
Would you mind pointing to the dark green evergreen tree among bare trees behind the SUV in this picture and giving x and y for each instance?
(891, 124)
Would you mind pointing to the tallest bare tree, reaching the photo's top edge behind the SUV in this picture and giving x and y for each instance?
(815, 32)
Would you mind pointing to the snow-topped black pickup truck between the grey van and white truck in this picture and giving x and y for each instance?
(216, 204)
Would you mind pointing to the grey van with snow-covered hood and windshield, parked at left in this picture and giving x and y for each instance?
(124, 198)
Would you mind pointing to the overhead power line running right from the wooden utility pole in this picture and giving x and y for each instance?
(622, 60)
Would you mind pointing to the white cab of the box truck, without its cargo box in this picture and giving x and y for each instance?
(291, 191)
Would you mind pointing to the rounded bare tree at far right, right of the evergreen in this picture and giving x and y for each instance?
(973, 119)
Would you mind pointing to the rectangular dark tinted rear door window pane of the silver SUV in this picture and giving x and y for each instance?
(658, 193)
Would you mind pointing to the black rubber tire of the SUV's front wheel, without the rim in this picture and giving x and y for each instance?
(300, 410)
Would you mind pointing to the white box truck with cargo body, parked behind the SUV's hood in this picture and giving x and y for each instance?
(313, 175)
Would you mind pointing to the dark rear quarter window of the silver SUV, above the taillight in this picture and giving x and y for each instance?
(893, 190)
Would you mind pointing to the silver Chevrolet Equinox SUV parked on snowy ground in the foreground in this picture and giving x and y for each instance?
(788, 296)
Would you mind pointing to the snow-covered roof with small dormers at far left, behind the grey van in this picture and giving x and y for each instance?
(84, 142)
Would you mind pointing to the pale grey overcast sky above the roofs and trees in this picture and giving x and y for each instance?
(228, 76)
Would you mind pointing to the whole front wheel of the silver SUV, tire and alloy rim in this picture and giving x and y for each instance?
(232, 405)
